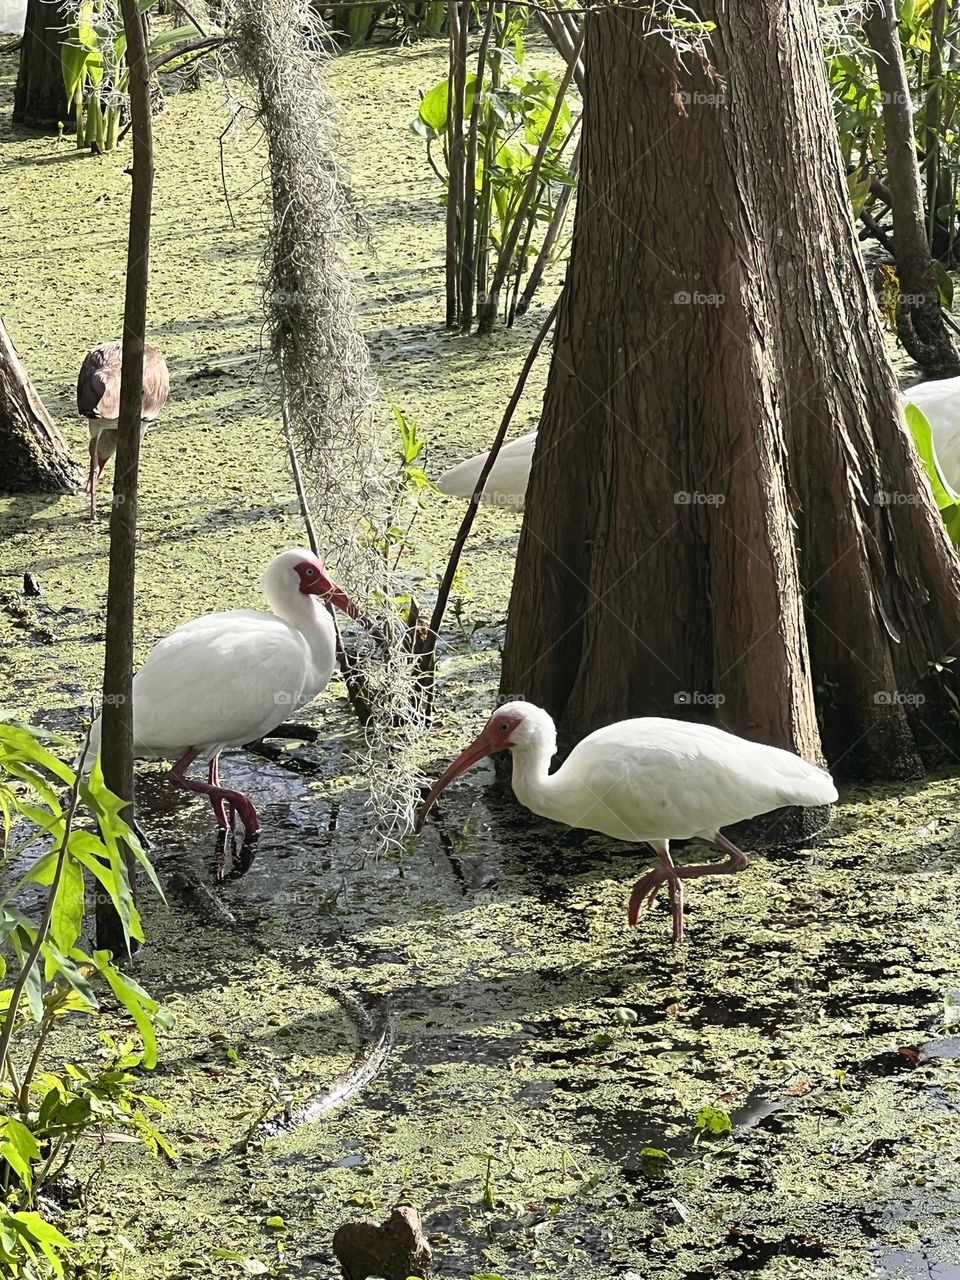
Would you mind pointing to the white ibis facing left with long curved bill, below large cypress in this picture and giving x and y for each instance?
(647, 781)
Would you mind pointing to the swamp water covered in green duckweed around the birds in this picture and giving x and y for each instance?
(548, 1066)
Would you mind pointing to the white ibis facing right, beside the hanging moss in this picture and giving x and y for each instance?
(228, 679)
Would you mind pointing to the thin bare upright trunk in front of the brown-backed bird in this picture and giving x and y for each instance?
(118, 665)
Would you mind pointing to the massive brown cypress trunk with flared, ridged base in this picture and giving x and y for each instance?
(719, 394)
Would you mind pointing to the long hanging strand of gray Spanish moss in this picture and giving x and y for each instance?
(321, 360)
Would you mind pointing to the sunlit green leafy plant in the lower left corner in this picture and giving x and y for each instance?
(47, 1110)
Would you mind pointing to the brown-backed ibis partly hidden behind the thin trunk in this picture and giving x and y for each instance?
(99, 400)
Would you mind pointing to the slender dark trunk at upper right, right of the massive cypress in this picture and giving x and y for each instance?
(920, 319)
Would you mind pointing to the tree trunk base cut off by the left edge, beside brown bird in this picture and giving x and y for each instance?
(34, 456)
